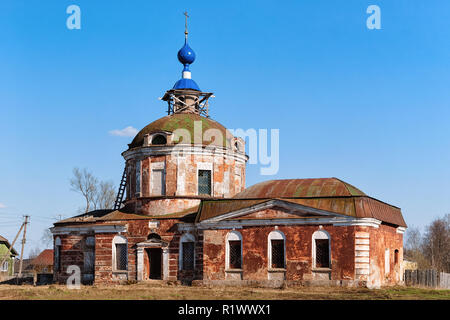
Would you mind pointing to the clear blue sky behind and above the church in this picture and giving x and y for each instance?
(371, 107)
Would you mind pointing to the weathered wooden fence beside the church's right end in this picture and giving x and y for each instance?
(427, 278)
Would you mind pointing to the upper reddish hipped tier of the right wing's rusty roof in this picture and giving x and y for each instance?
(295, 188)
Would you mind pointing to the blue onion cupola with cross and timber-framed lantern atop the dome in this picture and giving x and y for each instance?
(186, 96)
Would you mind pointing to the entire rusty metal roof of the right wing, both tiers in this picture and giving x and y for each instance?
(329, 194)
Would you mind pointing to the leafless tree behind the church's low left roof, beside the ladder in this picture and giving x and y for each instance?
(97, 194)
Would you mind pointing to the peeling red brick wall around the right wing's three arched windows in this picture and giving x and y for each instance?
(298, 252)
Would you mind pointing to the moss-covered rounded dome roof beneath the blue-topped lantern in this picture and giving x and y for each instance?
(185, 121)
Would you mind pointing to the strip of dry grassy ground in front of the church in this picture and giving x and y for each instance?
(177, 292)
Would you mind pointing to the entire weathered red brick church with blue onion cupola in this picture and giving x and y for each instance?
(183, 214)
